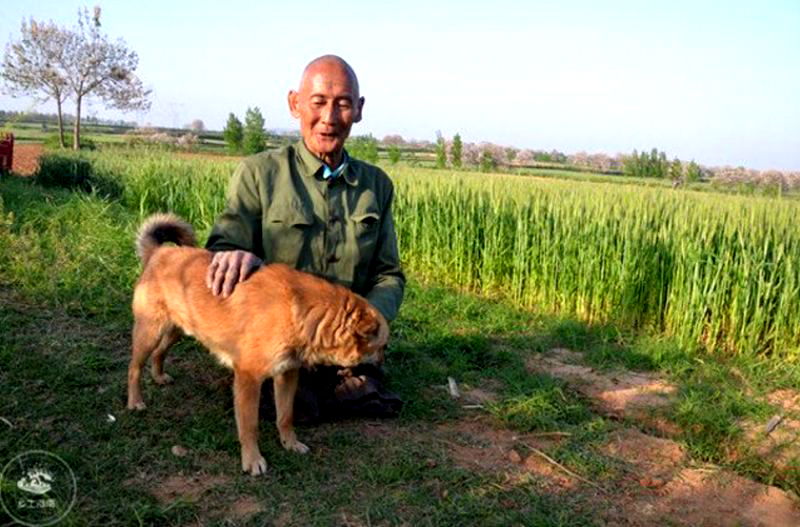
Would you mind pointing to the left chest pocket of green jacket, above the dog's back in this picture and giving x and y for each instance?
(288, 232)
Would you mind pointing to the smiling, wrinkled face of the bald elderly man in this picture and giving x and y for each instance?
(327, 105)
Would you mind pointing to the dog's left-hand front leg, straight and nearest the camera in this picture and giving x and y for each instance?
(246, 393)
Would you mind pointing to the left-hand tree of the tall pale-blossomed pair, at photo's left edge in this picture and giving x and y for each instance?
(33, 65)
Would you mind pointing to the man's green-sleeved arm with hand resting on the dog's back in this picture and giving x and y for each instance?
(236, 236)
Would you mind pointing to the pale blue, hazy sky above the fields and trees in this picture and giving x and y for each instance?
(713, 81)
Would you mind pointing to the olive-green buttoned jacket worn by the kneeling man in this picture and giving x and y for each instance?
(280, 209)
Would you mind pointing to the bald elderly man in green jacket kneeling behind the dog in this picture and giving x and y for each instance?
(315, 208)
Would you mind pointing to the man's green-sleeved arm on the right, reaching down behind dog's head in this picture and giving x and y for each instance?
(389, 281)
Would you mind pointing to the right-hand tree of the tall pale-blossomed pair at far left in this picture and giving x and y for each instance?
(94, 66)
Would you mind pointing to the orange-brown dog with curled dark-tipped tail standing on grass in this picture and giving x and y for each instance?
(275, 322)
